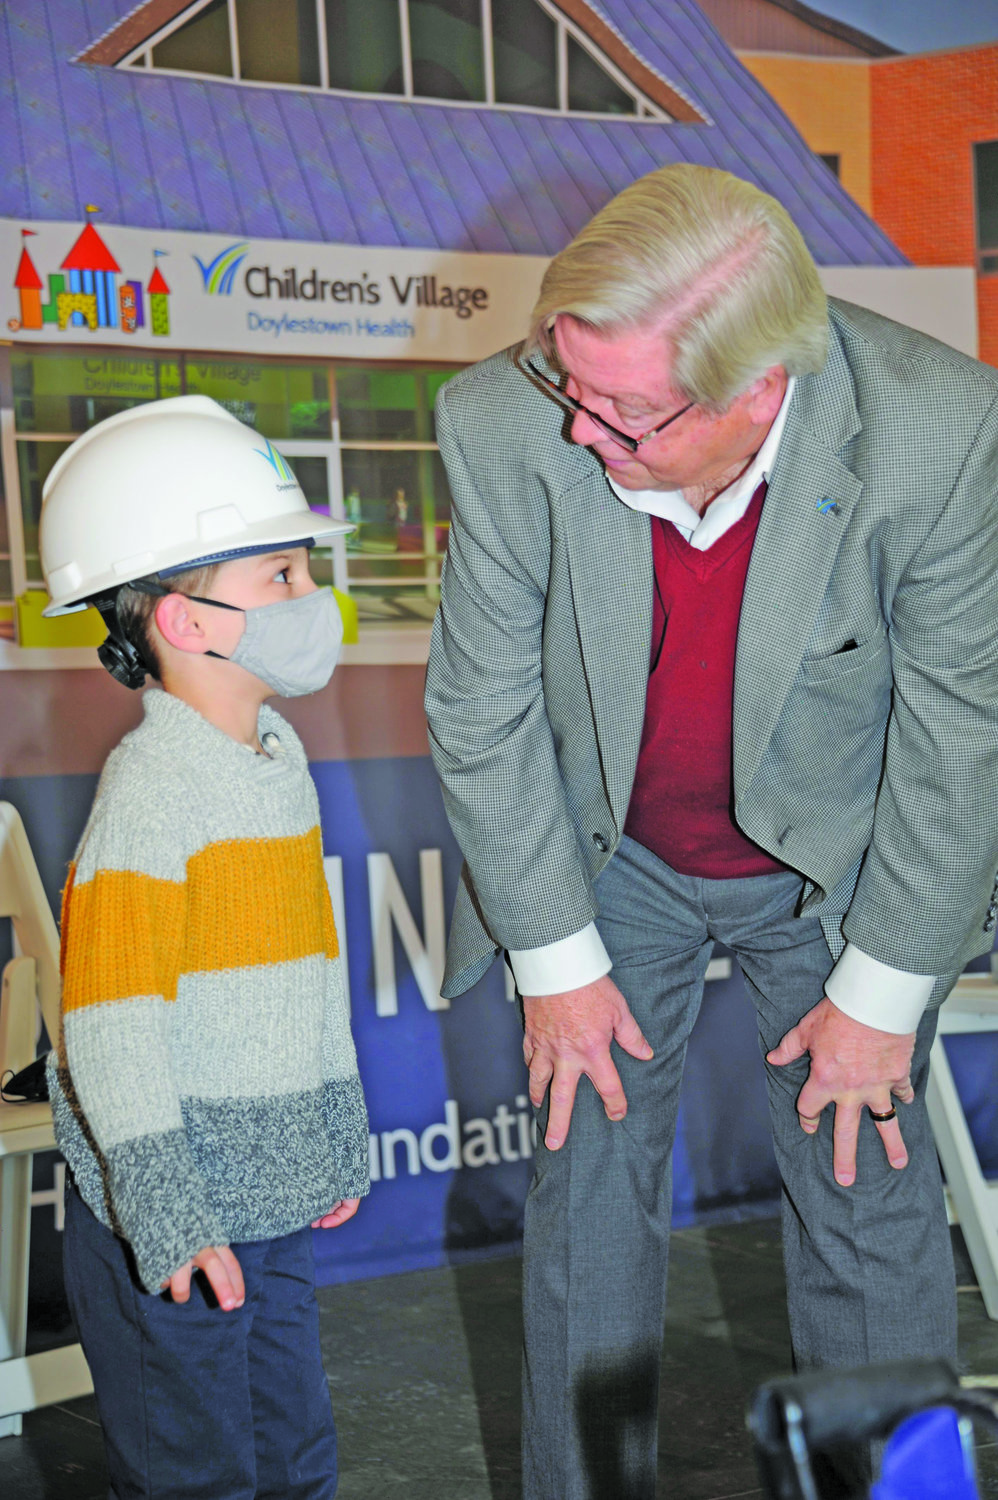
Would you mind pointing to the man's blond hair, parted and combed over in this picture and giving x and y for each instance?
(712, 262)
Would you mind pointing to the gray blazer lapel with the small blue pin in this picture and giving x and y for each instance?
(808, 508)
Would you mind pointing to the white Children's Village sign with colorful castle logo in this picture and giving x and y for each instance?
(110, 284)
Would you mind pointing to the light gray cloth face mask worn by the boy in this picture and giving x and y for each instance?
(295, 646)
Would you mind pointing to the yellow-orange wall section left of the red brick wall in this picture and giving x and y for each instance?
(829, 101)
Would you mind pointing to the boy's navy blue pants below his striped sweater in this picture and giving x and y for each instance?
(196, 1403)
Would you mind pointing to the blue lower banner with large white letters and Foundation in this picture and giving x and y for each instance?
(451, 1127)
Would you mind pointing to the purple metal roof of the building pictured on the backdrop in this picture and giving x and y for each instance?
(163, 152)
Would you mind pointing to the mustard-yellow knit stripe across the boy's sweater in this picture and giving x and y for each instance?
(247, 902)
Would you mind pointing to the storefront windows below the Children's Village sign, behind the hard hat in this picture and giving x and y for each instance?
(361, 440)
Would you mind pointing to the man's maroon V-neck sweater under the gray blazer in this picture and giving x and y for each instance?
(684, 794)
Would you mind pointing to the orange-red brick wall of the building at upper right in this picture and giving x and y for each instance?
(927, 113)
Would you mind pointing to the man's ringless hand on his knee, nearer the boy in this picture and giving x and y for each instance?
(568, 1036)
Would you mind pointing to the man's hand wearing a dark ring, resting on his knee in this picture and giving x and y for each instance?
(852, 1067)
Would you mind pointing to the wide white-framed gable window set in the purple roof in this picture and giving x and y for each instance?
(516, 53)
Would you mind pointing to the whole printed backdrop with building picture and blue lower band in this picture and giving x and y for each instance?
(316, 212)
